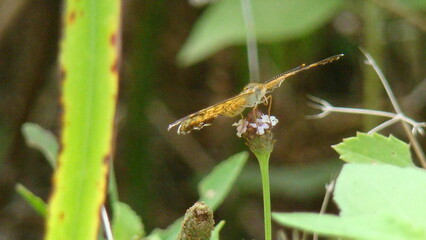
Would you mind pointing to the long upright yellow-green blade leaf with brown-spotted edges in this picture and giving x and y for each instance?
(89, 72)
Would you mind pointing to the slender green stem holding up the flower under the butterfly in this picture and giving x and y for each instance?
(263, 159)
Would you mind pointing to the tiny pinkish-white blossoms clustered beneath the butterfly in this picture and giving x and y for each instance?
(262, 123)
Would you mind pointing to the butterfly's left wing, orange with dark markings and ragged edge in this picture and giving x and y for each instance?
(229, 108)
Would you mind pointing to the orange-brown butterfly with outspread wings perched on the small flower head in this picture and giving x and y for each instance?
(252, 95)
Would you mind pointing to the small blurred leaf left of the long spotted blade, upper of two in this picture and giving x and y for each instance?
(42, 140)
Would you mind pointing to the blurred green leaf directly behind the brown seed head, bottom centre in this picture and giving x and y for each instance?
(216, 186)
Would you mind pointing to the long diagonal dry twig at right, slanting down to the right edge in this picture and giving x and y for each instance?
(416, 146)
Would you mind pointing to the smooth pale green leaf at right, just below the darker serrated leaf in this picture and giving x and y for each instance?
(382, 189)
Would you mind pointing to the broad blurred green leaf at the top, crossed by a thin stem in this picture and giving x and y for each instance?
(222, 24)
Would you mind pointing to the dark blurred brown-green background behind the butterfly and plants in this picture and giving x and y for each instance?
(157, 171)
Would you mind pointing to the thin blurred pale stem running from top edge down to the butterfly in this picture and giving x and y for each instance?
(252, 55)
